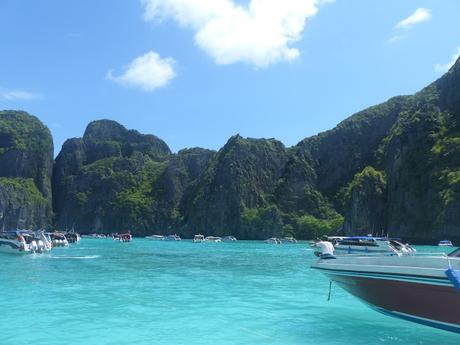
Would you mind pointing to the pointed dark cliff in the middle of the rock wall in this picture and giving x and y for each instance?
(241, 176)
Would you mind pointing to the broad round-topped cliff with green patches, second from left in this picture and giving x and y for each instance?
(104, 181)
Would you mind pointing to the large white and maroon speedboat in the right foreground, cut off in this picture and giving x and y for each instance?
(418, 288)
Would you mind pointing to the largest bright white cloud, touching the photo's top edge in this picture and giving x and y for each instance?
(259, 33)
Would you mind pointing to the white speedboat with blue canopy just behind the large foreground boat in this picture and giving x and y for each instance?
(370, 244)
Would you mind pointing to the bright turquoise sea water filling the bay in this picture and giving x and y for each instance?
(148, 292)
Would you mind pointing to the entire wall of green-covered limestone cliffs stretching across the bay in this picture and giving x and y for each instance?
(390, 169)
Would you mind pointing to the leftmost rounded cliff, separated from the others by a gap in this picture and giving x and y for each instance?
(26, 156)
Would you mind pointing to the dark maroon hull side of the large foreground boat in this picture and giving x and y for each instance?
(431, 301)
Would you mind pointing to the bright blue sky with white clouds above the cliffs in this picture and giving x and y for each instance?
(195, 72)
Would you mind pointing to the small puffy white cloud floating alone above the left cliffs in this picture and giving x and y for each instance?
(147, 72)
